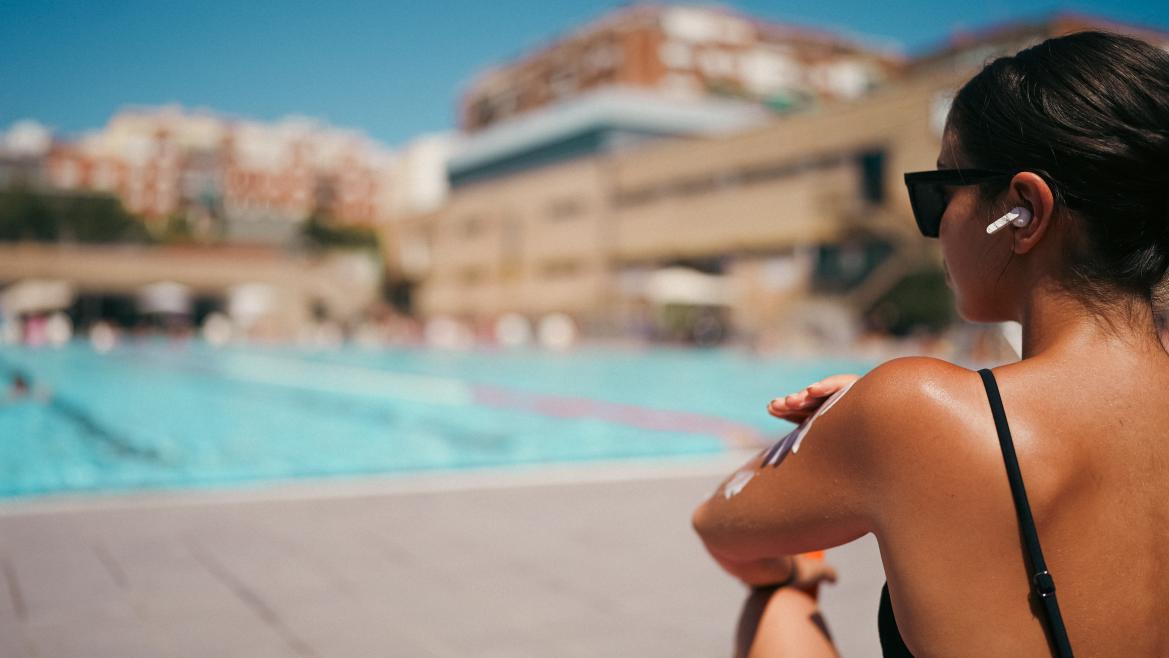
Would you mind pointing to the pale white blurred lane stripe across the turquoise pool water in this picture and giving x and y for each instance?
(350, 380)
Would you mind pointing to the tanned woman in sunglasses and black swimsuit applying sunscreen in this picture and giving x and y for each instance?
(1063, 153)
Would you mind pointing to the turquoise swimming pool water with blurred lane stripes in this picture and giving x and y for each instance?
(162, 415)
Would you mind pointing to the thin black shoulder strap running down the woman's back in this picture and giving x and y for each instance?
(1042, 584)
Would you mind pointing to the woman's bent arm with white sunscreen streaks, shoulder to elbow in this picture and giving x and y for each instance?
(826, 494)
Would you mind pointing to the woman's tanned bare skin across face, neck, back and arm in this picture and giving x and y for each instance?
(911, 455)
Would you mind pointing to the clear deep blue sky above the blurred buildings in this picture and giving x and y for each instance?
(392, 70)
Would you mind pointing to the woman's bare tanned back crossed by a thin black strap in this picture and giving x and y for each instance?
(1090, 435)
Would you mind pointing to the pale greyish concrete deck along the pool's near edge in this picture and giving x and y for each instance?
(555, 562)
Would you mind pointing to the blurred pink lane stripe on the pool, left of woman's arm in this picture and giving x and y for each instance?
(642, 418)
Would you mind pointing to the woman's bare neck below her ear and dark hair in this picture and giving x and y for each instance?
(1056, 324)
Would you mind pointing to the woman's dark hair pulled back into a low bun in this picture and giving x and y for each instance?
(1090, 114)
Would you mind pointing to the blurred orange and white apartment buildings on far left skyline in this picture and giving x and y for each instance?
(245, 181)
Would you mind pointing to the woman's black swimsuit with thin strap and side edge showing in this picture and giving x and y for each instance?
(1042, 585)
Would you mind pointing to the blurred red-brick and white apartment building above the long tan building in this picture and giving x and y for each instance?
(684, 52)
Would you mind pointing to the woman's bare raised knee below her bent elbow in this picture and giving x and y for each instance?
(783, 622)
